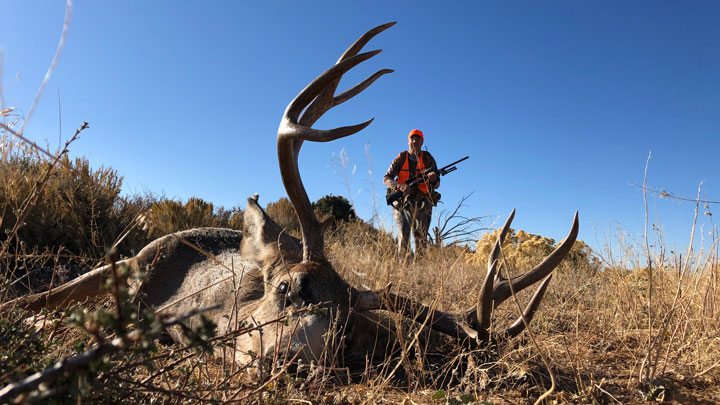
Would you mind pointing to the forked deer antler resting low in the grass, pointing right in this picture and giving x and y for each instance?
(474, 324)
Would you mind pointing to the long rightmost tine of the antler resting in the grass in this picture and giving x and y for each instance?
(502, 288)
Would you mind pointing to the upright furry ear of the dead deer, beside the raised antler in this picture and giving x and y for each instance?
(264, 241)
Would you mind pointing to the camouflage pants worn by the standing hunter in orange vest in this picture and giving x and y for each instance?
(414, 214)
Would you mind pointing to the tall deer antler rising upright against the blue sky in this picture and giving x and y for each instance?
(294, 129)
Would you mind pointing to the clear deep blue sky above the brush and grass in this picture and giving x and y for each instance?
(557, 103)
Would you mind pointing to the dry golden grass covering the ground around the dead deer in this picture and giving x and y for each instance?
(594, 327)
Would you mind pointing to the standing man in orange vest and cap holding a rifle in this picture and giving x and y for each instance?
(414, 210)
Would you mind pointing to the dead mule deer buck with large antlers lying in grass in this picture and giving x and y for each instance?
(262, 273)
